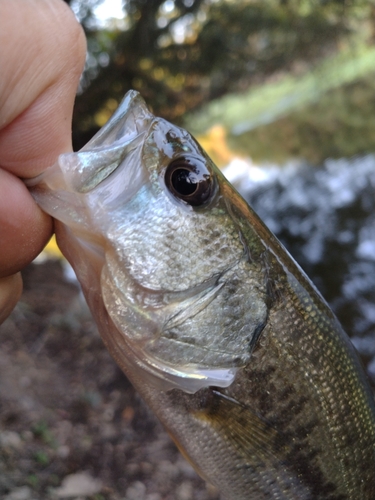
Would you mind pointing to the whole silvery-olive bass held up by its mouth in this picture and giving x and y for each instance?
(209, 317)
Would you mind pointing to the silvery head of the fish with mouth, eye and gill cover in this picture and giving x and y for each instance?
(147, 210)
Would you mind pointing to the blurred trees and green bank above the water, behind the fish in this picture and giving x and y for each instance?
(279, 79)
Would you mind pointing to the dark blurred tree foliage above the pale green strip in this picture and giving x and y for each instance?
(182, 54)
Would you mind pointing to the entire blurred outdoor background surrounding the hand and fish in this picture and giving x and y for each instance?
(281, 94)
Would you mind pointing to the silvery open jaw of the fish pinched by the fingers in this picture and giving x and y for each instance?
(80, 187)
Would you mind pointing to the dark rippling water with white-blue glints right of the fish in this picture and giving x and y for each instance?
(326, 219)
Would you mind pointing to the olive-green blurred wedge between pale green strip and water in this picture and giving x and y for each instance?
(340, 124)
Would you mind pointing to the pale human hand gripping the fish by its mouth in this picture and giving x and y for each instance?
(42, 53)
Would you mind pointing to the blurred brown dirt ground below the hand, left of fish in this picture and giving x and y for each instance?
(71, 425)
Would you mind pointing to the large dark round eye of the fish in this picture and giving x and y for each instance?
(189, 179)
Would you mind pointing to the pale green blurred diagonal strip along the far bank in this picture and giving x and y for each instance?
(269, 101)
